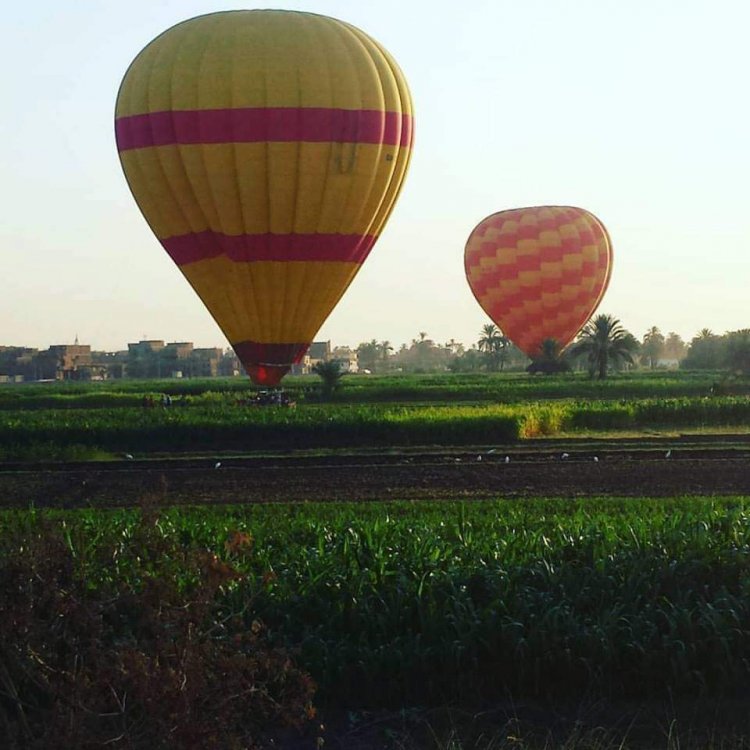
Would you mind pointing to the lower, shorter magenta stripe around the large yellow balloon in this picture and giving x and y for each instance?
(245, 248)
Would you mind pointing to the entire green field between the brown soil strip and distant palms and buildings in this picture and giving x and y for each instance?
(71, 421)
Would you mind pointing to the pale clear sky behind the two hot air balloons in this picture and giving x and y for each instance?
(637, 111)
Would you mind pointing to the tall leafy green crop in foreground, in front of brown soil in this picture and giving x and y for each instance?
(403, 604)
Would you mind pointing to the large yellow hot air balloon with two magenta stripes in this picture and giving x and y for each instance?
(266, 150)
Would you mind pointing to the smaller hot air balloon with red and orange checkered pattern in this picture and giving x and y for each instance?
(539, 272)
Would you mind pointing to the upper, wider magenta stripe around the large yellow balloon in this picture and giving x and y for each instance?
(263, 124)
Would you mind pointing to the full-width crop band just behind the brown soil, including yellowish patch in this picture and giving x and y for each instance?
(234, 428)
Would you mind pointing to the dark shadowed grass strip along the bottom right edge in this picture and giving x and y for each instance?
(701, 725)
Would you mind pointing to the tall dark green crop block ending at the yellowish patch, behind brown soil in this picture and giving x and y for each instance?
(247, 428)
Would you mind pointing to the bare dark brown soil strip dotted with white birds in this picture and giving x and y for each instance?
(445, 475)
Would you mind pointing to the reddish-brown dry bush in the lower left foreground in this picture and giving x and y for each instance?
(89, 656)
